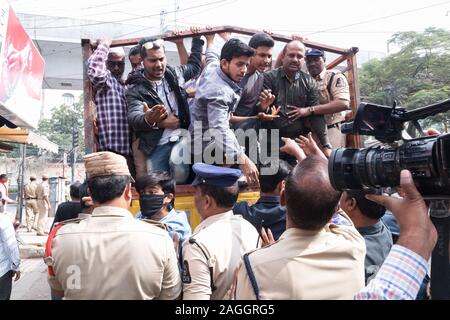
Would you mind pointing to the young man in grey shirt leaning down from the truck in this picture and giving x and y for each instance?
(217, 96)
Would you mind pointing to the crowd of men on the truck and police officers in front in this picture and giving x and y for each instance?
(301, 240)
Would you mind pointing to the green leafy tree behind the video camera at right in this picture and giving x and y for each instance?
(417, 75)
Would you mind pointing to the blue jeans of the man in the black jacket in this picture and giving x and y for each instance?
(172, 157)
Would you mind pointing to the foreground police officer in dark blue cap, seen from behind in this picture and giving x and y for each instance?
(211, 255)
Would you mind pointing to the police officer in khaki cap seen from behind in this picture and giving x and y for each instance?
(111, 255)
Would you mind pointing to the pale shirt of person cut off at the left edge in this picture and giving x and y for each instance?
(9, 249)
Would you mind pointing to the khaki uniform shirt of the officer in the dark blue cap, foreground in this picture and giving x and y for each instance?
(211, 255)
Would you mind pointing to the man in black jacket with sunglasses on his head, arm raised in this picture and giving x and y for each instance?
(157, 107)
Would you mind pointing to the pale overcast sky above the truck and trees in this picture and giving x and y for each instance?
(367, 25)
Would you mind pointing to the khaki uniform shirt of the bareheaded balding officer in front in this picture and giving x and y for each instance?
(303, 264)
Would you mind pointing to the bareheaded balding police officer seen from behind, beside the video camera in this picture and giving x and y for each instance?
(313, 259)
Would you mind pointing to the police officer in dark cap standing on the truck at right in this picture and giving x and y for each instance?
(334, 95)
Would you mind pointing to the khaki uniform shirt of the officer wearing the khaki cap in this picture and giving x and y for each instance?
(111, 255)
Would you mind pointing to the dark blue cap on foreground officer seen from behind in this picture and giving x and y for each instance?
(215, 176)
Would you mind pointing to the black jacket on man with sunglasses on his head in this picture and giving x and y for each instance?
(142, 91)
